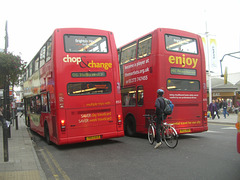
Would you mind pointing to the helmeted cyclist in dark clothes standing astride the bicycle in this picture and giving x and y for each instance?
(159, 104)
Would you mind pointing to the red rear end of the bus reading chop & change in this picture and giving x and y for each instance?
(87, 86)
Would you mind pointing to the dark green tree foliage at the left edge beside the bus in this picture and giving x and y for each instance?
(11, 68)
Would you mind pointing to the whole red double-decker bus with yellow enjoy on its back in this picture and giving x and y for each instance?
(168, 59)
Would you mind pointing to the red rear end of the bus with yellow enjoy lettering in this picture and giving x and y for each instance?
(182, 65)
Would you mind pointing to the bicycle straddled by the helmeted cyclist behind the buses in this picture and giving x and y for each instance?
(169, 135)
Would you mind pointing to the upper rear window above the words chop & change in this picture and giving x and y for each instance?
(85, 44)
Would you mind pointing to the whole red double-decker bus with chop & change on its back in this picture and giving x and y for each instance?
(72, 87)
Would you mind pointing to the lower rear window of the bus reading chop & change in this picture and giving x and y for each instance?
(89, 88)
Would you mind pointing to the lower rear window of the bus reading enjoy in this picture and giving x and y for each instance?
(183, 85)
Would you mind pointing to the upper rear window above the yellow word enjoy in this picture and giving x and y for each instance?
(181, 44)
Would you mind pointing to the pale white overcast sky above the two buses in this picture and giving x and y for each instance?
(30, 22)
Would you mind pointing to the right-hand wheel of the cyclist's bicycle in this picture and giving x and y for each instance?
(170, 137)
